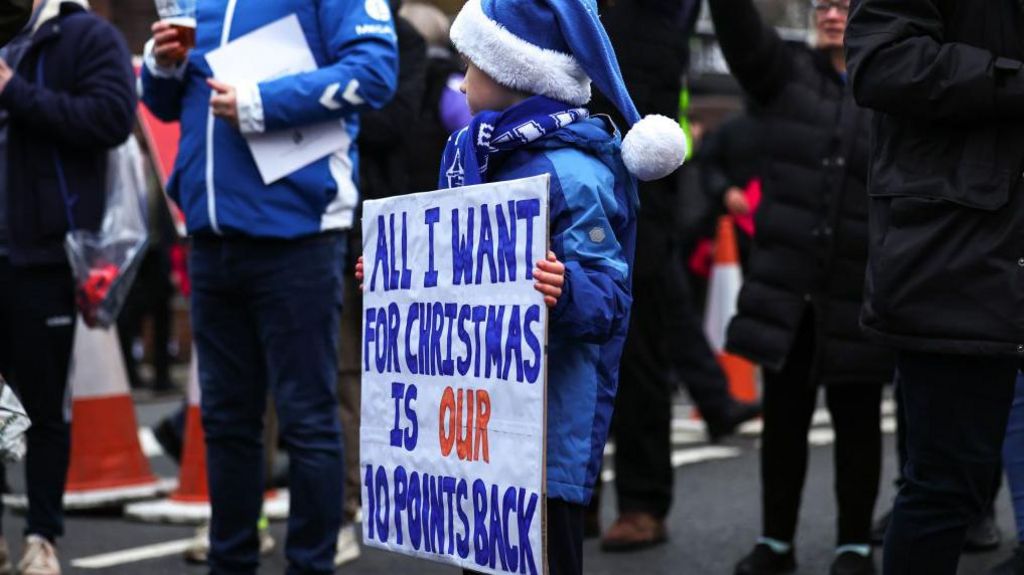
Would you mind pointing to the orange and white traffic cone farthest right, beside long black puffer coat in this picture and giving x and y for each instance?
(723, 292)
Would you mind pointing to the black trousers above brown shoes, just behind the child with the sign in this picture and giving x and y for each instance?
(666, 344)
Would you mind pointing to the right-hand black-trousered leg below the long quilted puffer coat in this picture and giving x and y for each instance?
(857, 416)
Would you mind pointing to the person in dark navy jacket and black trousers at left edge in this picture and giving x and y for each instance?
(67, 98)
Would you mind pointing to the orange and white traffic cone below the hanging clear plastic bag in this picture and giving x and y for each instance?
(108, 467)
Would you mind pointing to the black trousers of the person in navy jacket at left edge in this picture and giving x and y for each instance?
(37, 331)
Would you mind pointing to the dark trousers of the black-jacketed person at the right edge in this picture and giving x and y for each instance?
(956, 411)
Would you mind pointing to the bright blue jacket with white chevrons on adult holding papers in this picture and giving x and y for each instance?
(216, 181)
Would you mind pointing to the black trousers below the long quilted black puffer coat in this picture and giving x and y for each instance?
(790, 400)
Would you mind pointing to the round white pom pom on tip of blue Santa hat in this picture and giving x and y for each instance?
(655, 148)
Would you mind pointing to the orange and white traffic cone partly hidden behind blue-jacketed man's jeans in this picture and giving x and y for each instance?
(190, 504)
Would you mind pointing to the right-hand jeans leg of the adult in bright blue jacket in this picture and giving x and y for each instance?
(298, 302)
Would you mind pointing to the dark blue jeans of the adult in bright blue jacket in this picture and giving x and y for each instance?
(266, 315)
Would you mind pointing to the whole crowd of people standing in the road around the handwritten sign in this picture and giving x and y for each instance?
(872, 176)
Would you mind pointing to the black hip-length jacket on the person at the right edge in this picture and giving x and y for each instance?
(948, 208)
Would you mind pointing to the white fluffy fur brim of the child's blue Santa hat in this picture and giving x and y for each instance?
(517, 64)
